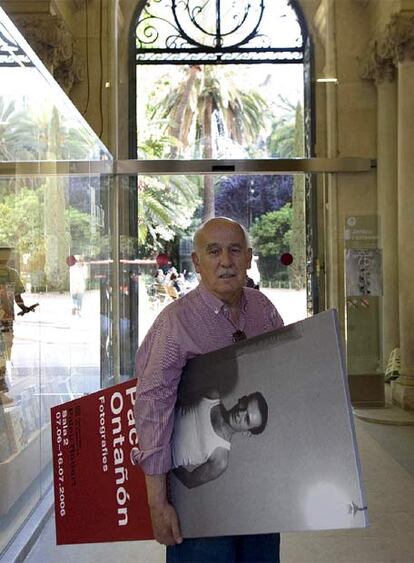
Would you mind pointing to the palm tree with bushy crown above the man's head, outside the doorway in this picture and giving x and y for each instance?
(205, 106)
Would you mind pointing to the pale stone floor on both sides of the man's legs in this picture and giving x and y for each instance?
(387, 458)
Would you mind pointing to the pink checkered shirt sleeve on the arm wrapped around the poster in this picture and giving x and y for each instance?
(158, 367)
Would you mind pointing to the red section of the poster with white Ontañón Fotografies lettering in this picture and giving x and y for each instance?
(100, 496)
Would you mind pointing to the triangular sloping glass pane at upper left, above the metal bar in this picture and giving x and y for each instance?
(37, 119)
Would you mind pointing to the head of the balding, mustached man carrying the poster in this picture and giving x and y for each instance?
(222, 258)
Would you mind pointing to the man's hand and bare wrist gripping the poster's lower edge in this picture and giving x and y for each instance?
(164, 519)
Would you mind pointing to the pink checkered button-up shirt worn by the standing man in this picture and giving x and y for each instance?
(195, 324)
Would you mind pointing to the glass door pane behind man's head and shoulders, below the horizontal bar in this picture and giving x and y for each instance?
(270, 207)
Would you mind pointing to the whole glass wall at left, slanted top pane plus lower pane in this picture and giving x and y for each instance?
(58, 228)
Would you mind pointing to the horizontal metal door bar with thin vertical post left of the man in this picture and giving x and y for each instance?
(130, 168)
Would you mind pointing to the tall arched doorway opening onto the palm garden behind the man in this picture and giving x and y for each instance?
(213, 84)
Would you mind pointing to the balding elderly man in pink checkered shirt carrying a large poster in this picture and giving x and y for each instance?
(220, 311)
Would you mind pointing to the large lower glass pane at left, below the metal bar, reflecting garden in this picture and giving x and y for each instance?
(59, 231)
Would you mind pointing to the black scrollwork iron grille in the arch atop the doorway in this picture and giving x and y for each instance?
(219, 32)
